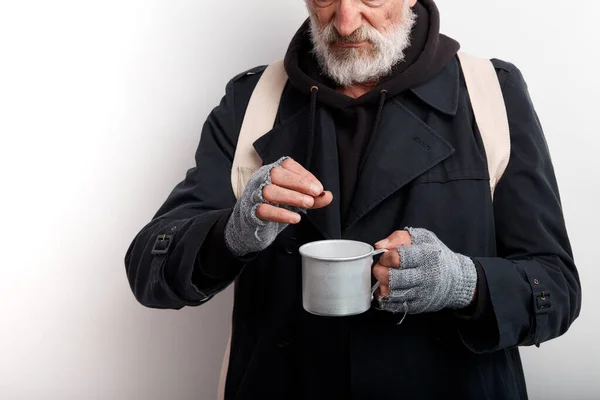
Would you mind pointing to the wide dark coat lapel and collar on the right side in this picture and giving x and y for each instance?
(405, 146)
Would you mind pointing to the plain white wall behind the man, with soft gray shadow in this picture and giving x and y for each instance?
(101, 106)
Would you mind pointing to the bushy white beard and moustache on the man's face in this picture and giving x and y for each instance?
(348, 66)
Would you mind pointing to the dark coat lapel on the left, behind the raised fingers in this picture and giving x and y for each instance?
(290, 138)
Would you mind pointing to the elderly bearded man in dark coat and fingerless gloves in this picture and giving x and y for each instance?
(375, 140)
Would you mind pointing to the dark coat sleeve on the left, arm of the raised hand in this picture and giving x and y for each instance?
(179, 258)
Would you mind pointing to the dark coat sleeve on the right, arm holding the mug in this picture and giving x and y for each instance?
(533, 284)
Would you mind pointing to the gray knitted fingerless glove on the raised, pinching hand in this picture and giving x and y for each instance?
(246, 233)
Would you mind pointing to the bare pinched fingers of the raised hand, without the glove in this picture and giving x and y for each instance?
(291, 185)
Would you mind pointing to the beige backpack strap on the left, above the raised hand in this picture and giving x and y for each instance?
(258, 120)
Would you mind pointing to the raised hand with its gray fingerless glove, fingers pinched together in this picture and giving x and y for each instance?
(274, 197)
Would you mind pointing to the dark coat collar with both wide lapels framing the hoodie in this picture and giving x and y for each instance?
(404, 148)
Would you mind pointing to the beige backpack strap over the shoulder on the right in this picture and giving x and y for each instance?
(490, 113)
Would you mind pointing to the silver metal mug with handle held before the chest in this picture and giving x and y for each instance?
(336, 277)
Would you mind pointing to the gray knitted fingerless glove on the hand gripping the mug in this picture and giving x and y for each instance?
(431, 277)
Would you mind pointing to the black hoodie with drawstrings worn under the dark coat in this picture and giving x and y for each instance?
(356, 120)
